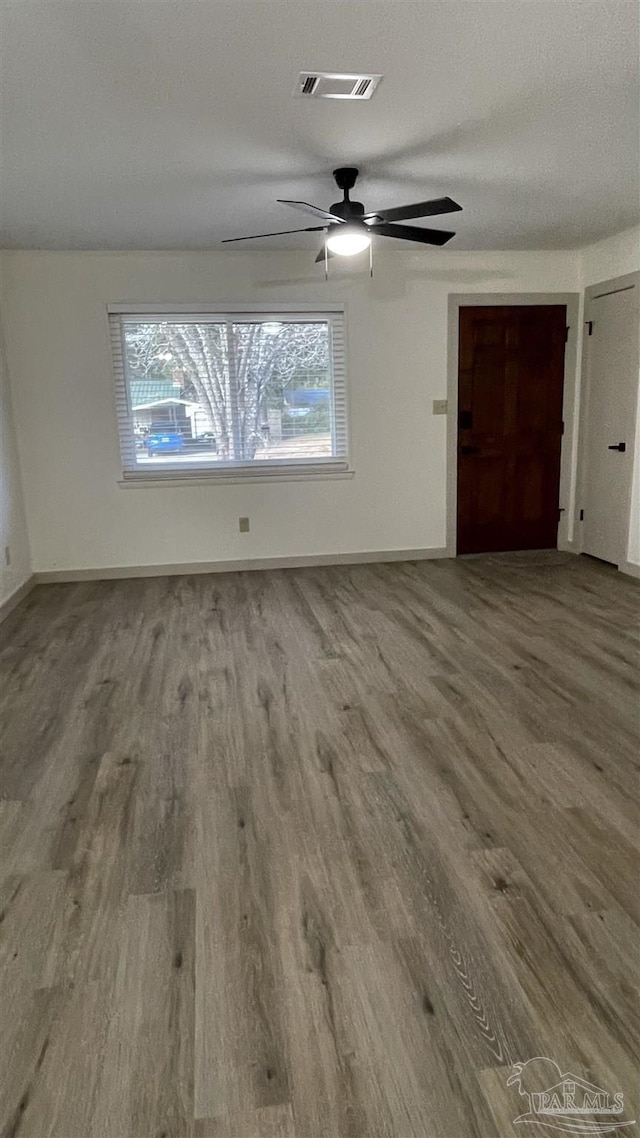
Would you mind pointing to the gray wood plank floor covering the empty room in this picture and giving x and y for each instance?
(317, 853)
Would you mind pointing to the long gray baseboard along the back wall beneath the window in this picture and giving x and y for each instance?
(116, 573)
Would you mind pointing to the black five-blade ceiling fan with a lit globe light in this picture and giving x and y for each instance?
(349, 229)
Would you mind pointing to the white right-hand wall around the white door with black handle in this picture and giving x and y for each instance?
(602, 262)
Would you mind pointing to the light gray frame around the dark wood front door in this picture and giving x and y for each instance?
(458, 301)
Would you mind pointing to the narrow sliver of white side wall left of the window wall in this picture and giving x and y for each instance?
(13, 524)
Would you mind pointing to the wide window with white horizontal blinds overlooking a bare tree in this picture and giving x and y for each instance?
(231, 394)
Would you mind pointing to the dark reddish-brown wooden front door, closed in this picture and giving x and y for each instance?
(511, 378)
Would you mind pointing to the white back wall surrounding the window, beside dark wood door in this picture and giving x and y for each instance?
(397, 342)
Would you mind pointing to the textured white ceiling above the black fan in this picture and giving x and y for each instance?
(171, 125)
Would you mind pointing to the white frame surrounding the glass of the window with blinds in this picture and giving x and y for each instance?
(229, 472)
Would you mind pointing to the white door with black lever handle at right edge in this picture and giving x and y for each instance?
(612, 351)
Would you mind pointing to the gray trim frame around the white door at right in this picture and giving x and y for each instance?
(613, 285)
